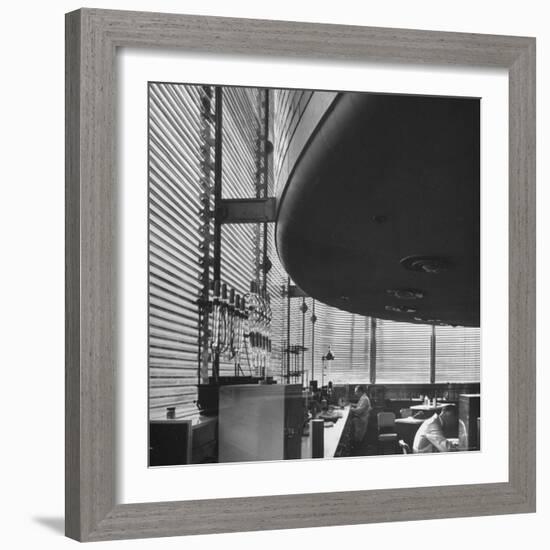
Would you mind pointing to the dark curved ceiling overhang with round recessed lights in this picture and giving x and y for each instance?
(380, 215)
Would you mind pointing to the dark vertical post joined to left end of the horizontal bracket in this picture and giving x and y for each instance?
(217, 201)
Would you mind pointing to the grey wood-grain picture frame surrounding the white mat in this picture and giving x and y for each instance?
(92, 38)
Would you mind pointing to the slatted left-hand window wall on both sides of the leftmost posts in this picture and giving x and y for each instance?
(181, 133)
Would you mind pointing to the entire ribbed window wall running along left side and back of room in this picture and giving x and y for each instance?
(179, 118)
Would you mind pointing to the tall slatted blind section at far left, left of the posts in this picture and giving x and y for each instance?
(175, 171)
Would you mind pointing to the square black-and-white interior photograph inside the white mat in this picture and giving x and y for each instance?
(313, 274)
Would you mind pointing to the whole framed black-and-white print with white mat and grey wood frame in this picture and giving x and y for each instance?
(300, 275)
